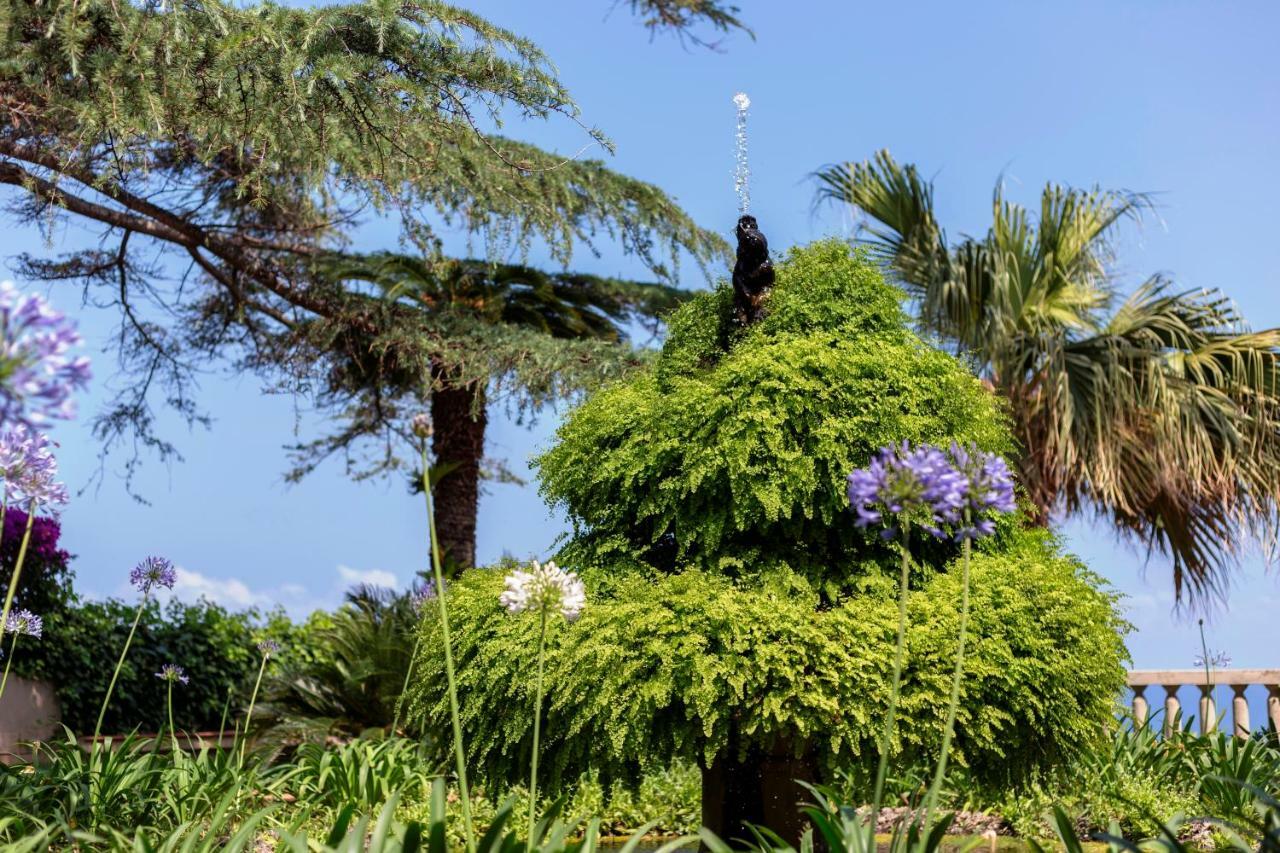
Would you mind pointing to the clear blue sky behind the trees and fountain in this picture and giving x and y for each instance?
(1171, 98)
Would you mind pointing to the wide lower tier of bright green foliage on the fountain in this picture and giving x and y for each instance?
(664, 667)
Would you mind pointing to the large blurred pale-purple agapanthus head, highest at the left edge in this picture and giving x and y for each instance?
(38, 375)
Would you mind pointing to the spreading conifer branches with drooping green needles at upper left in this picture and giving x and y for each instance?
(244, 143)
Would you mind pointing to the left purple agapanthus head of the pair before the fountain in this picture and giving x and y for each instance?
(903, 480)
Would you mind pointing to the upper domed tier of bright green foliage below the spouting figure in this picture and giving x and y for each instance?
(743, 455)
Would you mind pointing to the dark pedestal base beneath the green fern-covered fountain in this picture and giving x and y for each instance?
(760, 790)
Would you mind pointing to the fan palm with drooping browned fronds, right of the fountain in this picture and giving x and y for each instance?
(1155, 409)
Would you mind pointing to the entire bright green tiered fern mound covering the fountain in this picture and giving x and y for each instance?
(733, 603)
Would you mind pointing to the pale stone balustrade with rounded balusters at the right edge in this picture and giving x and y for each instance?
(1237, 681)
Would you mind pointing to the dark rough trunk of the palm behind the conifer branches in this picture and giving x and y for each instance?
(460, 421)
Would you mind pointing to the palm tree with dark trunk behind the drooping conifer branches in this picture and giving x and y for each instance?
(491, 332)
